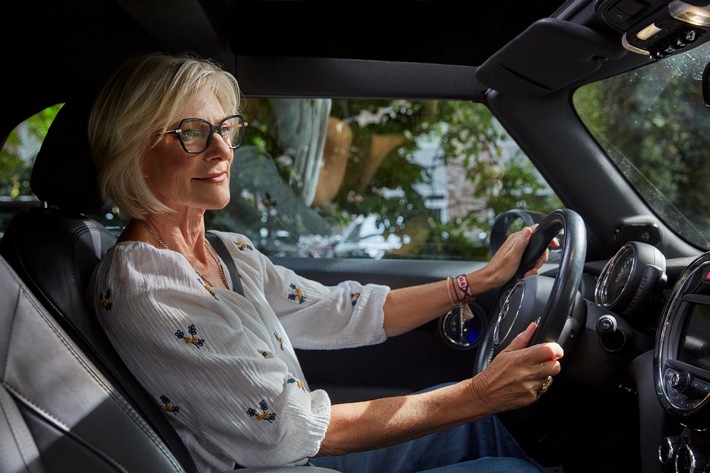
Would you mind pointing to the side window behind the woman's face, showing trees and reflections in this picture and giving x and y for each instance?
(376, 178)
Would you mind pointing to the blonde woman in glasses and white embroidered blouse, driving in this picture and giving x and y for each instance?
(221, 364)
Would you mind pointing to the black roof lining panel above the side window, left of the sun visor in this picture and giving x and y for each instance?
(427, 31)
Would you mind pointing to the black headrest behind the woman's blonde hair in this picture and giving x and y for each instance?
(64, 174)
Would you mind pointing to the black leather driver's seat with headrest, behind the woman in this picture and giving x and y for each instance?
(55, 248)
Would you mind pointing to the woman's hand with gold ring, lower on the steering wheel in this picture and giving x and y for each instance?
(515, 376)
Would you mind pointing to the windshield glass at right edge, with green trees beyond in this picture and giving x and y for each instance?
(653, 124)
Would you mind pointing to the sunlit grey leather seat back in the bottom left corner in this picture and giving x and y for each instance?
(57, 411)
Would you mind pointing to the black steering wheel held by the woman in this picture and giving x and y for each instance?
(521, 299)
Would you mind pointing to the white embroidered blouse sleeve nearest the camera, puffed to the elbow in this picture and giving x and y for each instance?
(224, 375)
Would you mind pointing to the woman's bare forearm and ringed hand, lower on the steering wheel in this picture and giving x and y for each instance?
(511, 381)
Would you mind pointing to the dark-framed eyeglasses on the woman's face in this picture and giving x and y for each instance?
(195, 134)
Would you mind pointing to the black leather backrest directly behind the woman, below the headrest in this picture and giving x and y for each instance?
(55, 252)
